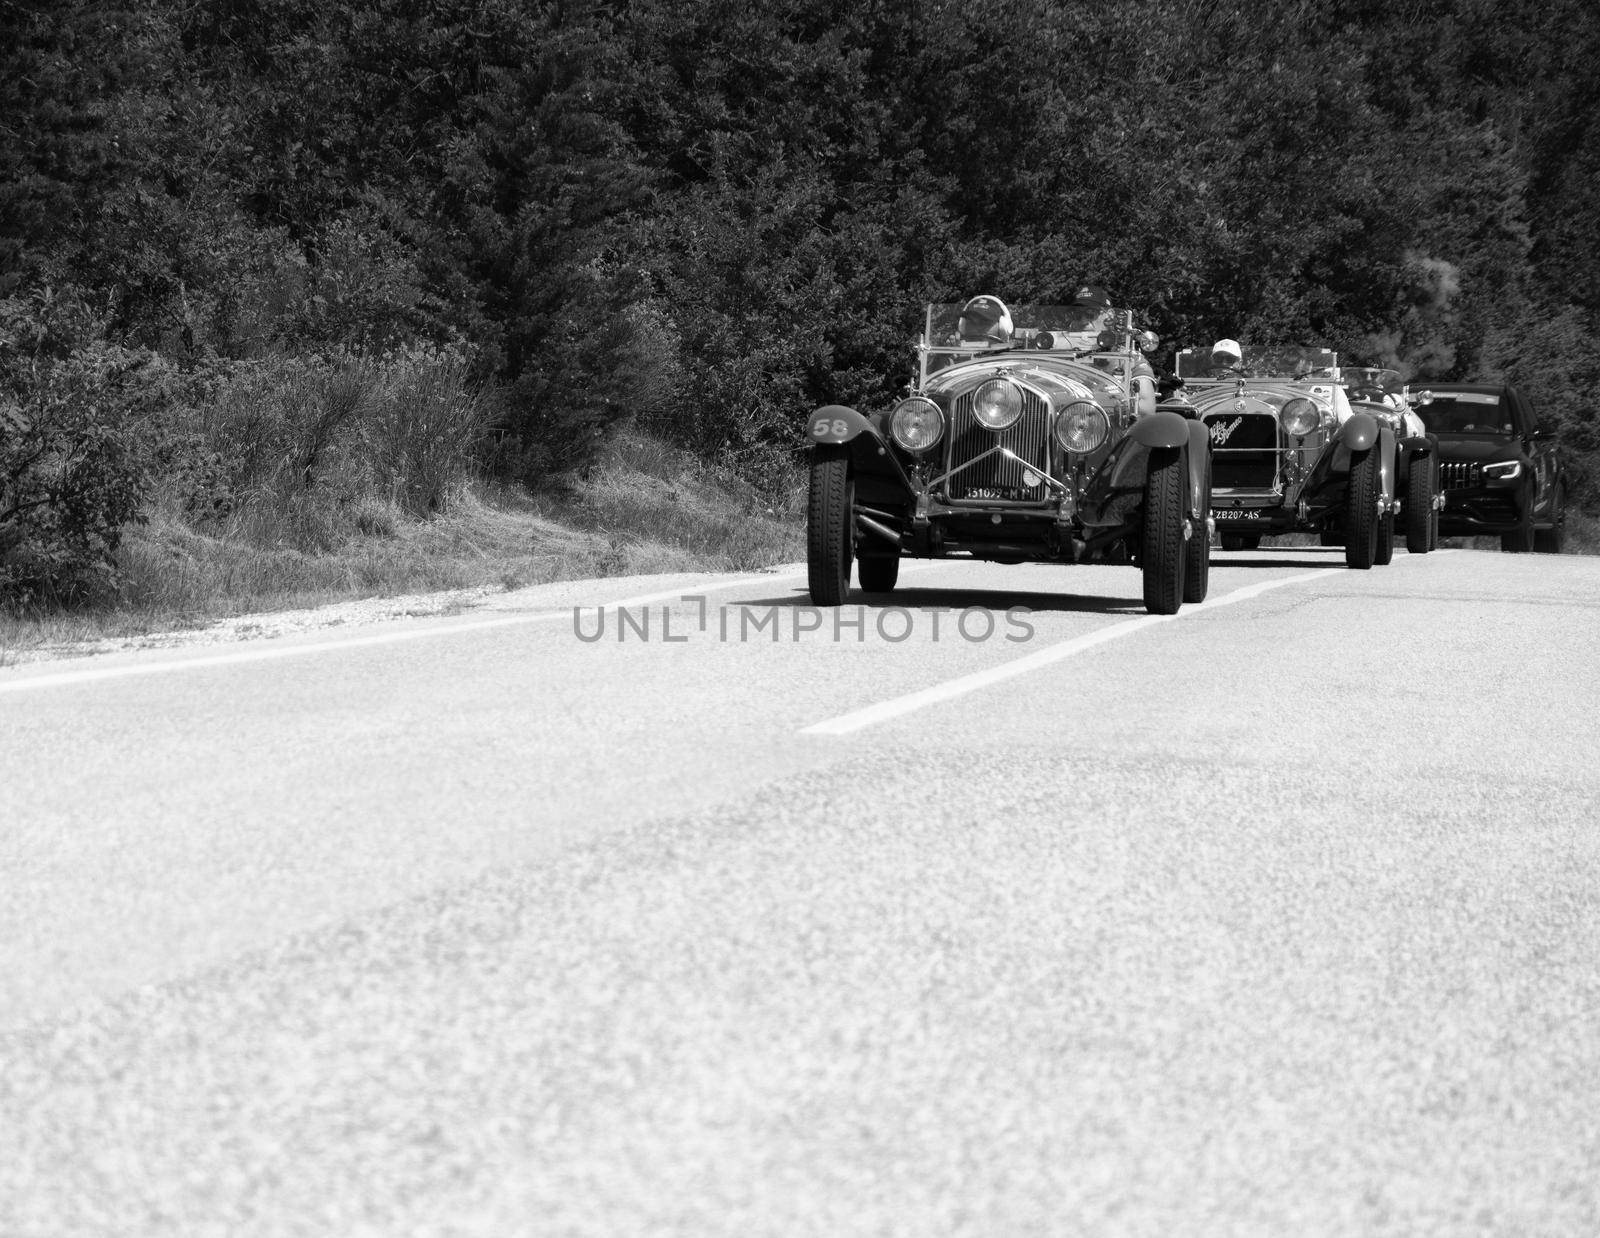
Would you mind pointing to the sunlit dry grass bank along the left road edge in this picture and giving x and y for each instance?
(644, 509)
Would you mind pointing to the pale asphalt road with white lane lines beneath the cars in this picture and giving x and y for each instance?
(1281, 917)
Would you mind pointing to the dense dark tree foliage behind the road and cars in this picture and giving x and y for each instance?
(711, 217)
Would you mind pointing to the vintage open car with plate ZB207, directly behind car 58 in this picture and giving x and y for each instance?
(1292, 453)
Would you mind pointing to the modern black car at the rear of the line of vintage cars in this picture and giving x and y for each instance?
(1500, 471)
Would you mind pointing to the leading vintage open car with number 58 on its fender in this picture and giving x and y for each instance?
(1020, 439)
